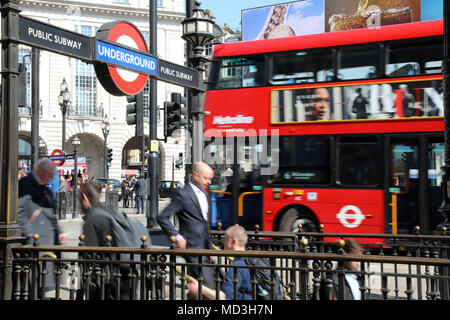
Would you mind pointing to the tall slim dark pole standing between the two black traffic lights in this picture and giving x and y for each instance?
(153, 160)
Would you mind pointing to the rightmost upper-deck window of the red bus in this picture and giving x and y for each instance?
(409, 57)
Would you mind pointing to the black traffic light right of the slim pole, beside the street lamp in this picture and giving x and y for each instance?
(174, 113)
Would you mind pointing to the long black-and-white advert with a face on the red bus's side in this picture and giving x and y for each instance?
(358, 102)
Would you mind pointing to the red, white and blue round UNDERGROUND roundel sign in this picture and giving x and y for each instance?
(123, 64)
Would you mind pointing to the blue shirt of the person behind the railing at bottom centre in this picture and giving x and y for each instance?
(244, 287)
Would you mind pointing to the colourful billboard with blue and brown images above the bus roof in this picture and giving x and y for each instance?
(317, 16)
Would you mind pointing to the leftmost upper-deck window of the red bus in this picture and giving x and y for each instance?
(241, 72)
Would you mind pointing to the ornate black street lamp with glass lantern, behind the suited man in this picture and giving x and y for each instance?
(198, 31)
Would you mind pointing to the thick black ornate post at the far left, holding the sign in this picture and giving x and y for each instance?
(10, 232)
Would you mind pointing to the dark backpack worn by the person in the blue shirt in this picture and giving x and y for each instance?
(263, 277)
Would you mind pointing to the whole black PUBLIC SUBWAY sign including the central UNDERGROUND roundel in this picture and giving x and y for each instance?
(118, 52)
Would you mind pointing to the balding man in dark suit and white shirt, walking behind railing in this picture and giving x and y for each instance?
(192, 207)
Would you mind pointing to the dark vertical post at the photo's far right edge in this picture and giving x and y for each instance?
(444, 209)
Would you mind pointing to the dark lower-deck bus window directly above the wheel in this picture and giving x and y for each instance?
(303, 160)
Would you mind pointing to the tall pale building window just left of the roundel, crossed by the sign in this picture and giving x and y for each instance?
(85, 102)
